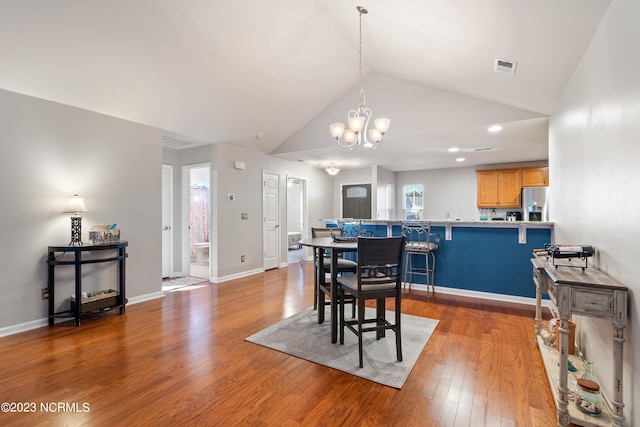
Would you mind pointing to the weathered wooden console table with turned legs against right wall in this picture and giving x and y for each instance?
(585, 292)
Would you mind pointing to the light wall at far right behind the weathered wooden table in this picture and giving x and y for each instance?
(594, 176)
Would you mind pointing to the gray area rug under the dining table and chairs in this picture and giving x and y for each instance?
(300, 335)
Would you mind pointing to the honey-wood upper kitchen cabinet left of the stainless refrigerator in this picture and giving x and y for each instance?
(499, 188)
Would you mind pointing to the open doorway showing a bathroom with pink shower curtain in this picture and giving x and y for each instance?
(196, 219)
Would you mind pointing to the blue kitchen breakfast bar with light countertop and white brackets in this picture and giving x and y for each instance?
(479, 258)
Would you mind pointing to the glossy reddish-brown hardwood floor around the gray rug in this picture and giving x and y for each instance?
(182, 360)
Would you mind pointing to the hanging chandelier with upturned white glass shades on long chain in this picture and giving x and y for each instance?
(359, 118)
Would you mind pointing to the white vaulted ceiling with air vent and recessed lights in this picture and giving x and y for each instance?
(210, 71)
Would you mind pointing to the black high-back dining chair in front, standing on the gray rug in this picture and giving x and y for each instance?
(378, 277)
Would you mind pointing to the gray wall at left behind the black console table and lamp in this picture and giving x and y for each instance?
(51, 151)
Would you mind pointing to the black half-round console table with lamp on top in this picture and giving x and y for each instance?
(77, 261)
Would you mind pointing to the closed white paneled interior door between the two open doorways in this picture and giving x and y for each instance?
(271, 230)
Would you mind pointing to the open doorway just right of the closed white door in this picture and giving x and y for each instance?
(296, 218)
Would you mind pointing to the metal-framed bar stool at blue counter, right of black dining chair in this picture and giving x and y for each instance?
(420, 243)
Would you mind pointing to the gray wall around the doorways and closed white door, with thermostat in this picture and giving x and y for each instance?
(231, 236)
